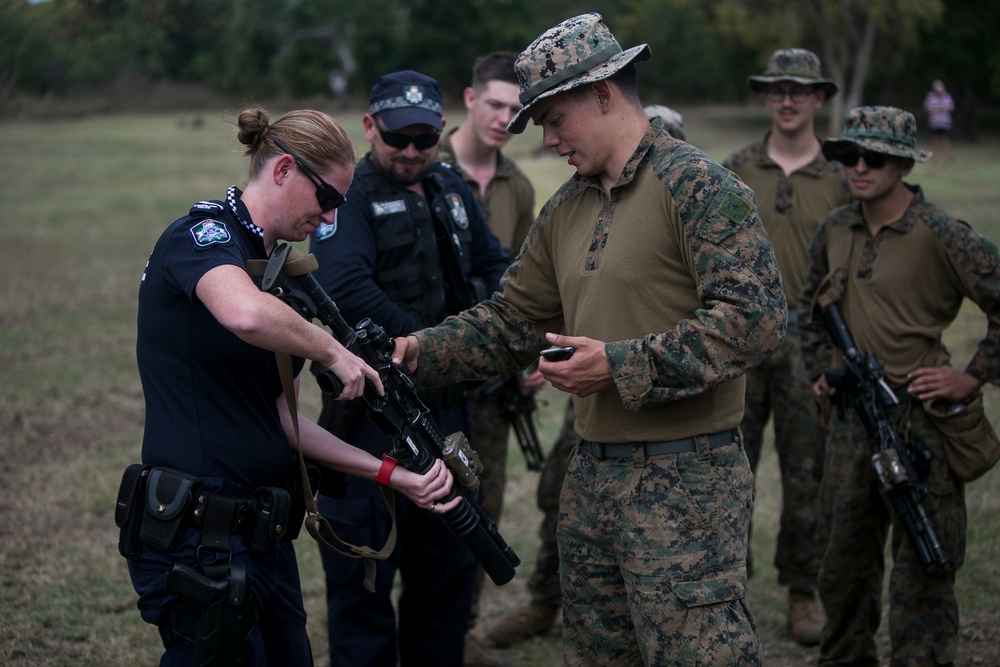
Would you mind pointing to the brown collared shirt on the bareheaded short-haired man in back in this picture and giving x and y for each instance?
(509, 204)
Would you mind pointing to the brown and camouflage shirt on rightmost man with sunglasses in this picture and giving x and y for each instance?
(902, 288)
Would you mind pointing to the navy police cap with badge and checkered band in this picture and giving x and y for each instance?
(406, 98)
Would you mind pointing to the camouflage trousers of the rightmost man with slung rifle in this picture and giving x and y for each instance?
(855, 523)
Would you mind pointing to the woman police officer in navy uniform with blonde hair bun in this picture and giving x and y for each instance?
(218, 442)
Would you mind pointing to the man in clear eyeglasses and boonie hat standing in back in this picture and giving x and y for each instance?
(795, 188)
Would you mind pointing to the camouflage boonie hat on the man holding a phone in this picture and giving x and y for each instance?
(578, 51)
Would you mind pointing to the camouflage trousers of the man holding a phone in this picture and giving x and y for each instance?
(653, 559)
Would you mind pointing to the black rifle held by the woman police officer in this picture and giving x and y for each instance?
(399, 414)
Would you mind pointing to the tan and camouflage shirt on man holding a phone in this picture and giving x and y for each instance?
(673, 270)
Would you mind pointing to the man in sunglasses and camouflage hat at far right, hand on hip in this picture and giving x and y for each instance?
(899, 268)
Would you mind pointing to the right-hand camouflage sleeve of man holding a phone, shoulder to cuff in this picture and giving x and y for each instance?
(743, 317)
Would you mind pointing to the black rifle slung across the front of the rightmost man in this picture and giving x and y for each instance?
(899, 466)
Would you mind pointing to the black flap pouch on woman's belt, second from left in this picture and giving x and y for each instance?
(168, 496)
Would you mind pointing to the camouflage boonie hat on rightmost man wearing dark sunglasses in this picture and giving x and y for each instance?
(881, 130)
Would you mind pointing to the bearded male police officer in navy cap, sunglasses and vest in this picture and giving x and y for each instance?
(410, 247)
